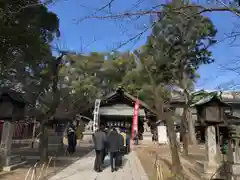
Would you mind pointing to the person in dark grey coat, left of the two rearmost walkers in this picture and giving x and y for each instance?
(99, 140)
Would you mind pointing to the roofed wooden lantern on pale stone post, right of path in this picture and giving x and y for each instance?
(211, 112)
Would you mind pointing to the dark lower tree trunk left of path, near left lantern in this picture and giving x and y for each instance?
(43, 147)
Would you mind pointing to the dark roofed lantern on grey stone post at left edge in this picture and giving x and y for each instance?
(12, 107)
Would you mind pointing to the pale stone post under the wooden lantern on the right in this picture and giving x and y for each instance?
(211, 148)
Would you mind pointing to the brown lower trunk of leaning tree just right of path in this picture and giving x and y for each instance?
(176, 163)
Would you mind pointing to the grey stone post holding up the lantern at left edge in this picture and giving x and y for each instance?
(6, 141)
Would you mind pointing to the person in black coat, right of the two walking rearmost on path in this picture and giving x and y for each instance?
(113, 141)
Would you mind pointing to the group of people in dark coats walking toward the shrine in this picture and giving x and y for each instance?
(113, 141)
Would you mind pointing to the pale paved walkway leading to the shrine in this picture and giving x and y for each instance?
(83, 169)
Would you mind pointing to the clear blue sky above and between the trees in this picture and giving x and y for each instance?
(83, 31)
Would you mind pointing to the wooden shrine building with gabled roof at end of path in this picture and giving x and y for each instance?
(116, 110)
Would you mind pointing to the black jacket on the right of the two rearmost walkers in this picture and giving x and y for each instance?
(113, 141)
